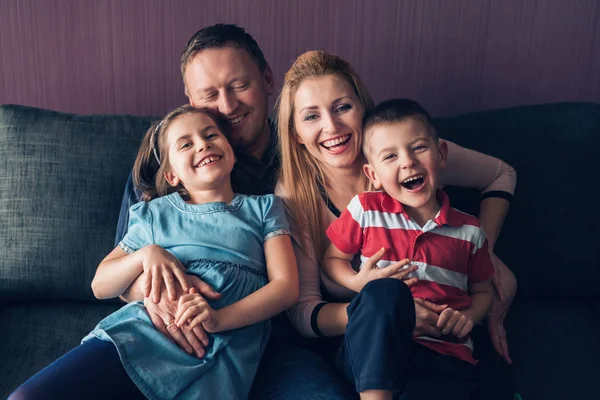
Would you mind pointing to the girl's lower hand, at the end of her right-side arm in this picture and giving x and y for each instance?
(195, 309)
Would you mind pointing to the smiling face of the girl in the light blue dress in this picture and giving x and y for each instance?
(200, 157)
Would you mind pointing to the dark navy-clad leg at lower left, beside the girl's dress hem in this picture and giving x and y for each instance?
(92, 370)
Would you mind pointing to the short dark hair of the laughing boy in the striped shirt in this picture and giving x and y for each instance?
(392, 112)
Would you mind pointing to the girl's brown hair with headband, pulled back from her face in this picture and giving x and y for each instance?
(148, 173)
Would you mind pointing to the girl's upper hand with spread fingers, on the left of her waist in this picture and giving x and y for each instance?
(161, 266)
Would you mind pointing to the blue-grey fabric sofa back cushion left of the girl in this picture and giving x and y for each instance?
(61, 183)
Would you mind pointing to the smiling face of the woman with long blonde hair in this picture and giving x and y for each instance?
(328, 120)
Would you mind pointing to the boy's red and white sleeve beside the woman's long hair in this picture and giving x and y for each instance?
(346, 232)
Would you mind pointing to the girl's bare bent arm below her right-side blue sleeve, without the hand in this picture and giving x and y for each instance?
(276, 296)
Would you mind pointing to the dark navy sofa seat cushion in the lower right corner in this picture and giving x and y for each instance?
(555, 348)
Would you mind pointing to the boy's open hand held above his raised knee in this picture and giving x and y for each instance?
(370, 271)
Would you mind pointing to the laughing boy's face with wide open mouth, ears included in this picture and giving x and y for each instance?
(405, 160)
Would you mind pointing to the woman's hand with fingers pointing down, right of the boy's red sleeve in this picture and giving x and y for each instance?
(505, 293)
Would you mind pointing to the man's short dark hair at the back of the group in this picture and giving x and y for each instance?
(219, 36)
